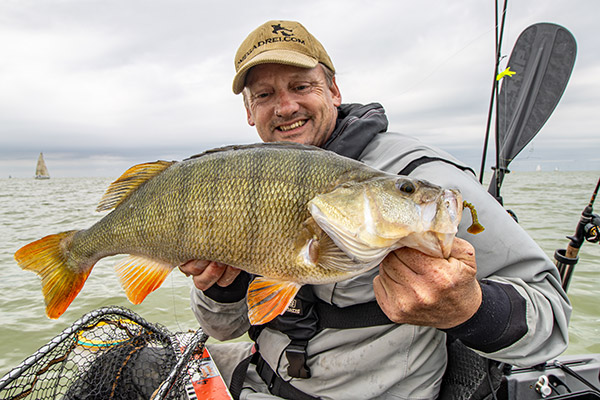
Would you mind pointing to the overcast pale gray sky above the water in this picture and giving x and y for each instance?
(100, 85)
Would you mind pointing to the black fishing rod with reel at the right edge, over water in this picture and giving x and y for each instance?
(588, 229)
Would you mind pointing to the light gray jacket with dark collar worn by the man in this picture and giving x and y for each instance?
(522, 291)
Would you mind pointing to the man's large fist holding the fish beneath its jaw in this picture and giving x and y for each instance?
(418, 289)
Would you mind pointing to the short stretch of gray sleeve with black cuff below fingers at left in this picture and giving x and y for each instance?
(222, 313)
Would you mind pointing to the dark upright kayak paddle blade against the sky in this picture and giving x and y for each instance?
(542, 59)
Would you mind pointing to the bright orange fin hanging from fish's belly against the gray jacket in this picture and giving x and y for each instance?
(269, 298)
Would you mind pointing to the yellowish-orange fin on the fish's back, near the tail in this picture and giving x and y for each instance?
(130, 181)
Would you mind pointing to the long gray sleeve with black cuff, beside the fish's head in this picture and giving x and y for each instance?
(524, 315)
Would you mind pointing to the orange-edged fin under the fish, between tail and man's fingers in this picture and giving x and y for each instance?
(140, 276)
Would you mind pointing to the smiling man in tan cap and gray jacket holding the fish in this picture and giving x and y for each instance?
(497, 292)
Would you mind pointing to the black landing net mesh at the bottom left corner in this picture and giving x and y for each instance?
(110, 353)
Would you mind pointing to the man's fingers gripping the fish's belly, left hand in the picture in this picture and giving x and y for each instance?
(207, 273)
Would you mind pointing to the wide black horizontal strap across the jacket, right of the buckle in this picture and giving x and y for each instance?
(355, 316)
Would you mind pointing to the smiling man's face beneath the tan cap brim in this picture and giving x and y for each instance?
(288, 103)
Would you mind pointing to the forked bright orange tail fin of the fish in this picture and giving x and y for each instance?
(48, 258)
